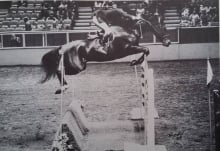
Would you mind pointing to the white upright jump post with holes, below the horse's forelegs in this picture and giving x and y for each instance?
(149, 114)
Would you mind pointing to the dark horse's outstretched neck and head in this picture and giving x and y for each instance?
(152, 25)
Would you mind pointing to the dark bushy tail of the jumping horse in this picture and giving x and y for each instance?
(50, 64)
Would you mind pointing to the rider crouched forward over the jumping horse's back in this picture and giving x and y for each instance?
(107, 17)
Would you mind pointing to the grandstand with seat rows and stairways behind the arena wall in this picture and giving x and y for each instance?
(37, 12)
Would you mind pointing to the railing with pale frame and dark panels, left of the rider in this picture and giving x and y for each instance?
(39, 39)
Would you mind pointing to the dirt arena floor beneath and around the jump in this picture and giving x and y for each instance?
(30, 112)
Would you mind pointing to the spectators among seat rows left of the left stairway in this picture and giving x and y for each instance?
(40, 15)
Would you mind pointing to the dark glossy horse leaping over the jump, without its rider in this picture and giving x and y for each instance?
(124, 42)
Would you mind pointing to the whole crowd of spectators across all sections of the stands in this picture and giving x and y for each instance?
(58, 15)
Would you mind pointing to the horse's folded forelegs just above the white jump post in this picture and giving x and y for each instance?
(138, 49)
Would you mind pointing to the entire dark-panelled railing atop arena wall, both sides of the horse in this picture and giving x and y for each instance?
(44, 39)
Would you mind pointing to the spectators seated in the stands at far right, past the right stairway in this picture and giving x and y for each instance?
(199, 13)
